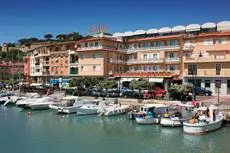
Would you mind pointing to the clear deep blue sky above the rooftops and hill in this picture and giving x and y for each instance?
(34, 18)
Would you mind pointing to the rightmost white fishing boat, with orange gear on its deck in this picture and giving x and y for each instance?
(204, 125)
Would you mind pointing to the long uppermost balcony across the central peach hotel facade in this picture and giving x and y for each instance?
(166, 48)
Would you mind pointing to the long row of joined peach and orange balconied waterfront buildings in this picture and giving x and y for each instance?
(166, 55)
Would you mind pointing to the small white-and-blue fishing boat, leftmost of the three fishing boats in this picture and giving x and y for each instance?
(150, 113)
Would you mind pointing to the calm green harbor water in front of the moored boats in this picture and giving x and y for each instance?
(47, 132)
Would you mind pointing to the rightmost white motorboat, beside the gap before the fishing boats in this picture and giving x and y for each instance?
(112, 110)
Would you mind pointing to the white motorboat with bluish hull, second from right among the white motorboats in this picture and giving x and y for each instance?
(88, 109)
